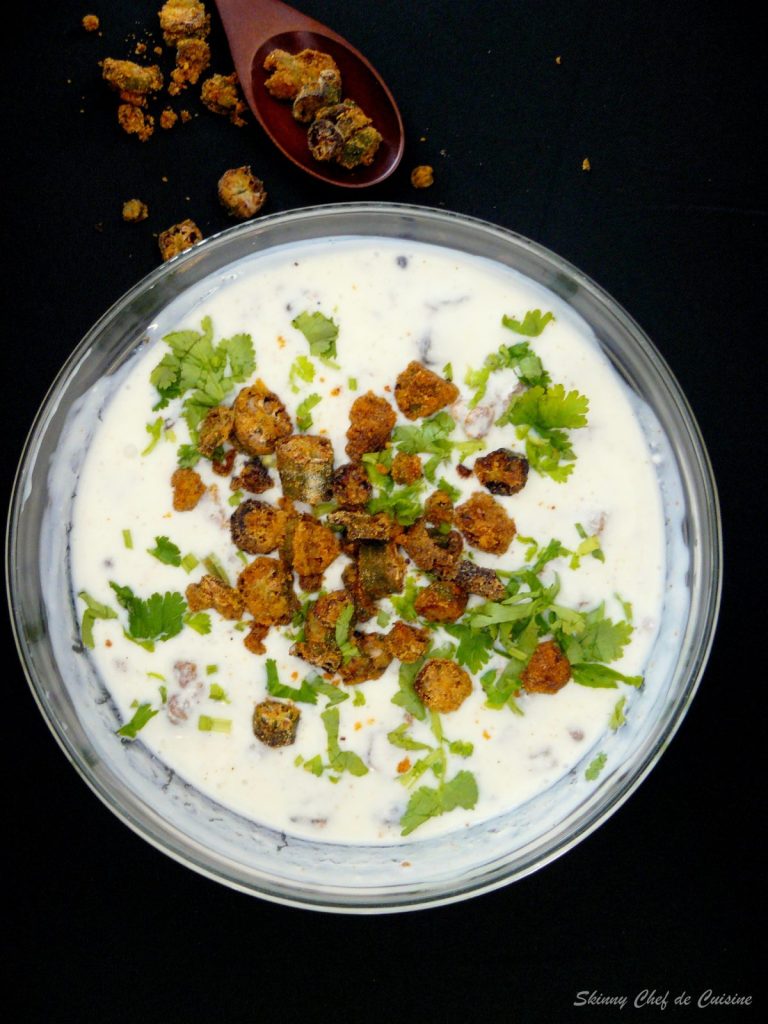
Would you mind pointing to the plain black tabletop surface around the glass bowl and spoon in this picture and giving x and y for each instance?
(667, 101)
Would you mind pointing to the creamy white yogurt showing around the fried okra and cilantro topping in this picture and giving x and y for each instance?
(440, 309)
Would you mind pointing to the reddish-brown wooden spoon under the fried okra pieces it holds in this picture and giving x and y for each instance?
(254, 28)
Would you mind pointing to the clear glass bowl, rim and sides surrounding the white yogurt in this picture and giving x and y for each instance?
(193, 829)
